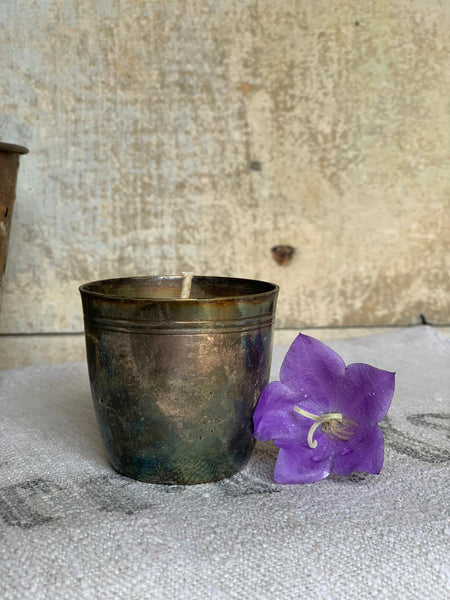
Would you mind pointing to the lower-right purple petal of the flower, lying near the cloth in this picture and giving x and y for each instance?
(363, 452)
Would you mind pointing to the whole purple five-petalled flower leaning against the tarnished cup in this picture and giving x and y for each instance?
(323, 415)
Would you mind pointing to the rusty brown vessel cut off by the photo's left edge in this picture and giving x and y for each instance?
(9, 165)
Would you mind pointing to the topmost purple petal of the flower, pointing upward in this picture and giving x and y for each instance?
(313, 371)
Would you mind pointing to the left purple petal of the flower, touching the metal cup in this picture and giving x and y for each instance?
(274, 416)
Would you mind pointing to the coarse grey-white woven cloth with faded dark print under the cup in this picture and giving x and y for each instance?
(72, 528)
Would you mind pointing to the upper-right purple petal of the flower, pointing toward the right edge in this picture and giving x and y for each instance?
(366, 394)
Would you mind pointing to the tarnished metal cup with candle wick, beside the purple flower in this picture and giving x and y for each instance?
(175, 381)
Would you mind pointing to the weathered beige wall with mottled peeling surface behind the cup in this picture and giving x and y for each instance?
(199, 134)
